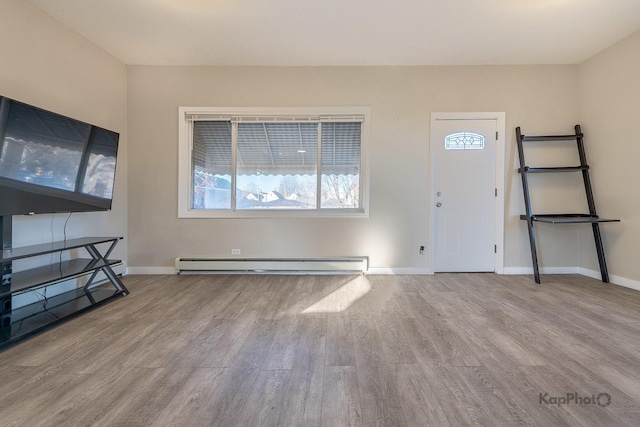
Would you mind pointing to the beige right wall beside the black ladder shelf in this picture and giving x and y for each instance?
(609, 102)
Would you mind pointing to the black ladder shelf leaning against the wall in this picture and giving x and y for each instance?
(571, 218)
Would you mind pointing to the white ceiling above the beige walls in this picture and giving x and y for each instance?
(348, 32)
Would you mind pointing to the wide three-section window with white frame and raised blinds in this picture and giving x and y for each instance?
(273, 163)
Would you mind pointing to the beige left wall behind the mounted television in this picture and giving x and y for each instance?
(46, 65)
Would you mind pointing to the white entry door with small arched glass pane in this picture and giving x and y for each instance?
(464, 194)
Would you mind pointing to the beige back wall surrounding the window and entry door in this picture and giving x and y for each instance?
(538, 98)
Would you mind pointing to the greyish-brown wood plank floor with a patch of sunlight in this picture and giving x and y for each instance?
(254, 350)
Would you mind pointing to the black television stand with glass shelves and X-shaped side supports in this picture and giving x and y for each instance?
(17, 323)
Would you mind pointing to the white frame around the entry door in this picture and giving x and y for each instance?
(500, 147)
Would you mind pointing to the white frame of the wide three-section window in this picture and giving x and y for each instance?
(266, 114)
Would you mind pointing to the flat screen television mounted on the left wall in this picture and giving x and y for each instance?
(52, 163)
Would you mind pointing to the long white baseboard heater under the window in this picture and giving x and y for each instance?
(344, 265)
